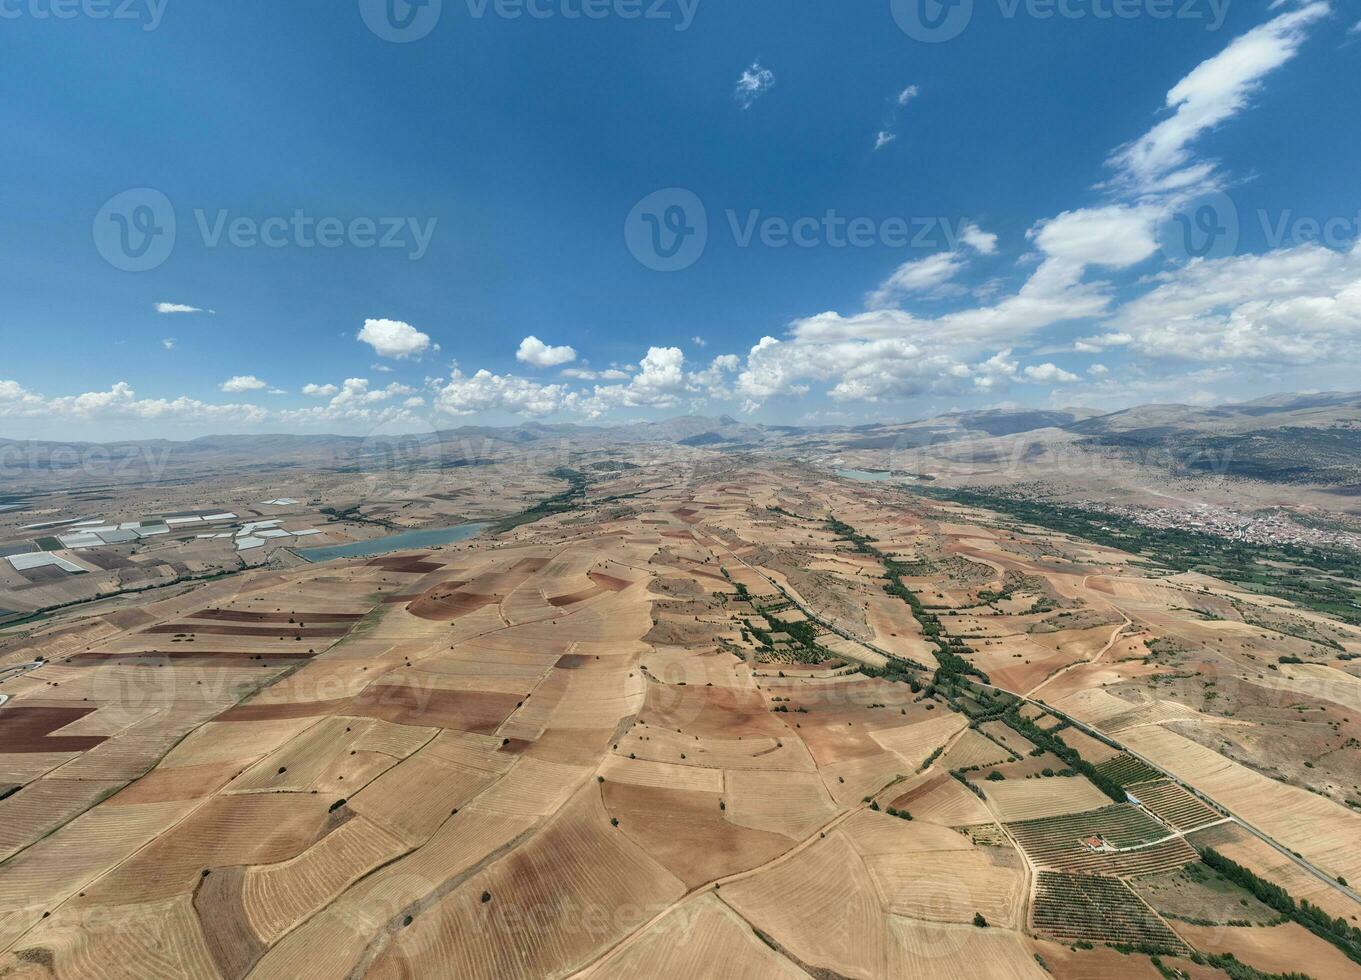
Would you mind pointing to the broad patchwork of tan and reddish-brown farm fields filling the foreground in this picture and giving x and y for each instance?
(737, 719)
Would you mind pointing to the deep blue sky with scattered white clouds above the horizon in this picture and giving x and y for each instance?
(1053, 210)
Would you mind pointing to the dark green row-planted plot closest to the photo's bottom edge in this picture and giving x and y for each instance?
(1092, 909)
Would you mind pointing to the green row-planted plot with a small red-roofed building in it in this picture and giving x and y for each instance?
(1061, 843)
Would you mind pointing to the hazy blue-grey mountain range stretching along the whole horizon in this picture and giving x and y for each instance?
(1288, 438)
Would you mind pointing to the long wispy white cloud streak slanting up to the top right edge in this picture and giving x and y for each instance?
(1216, 91)
